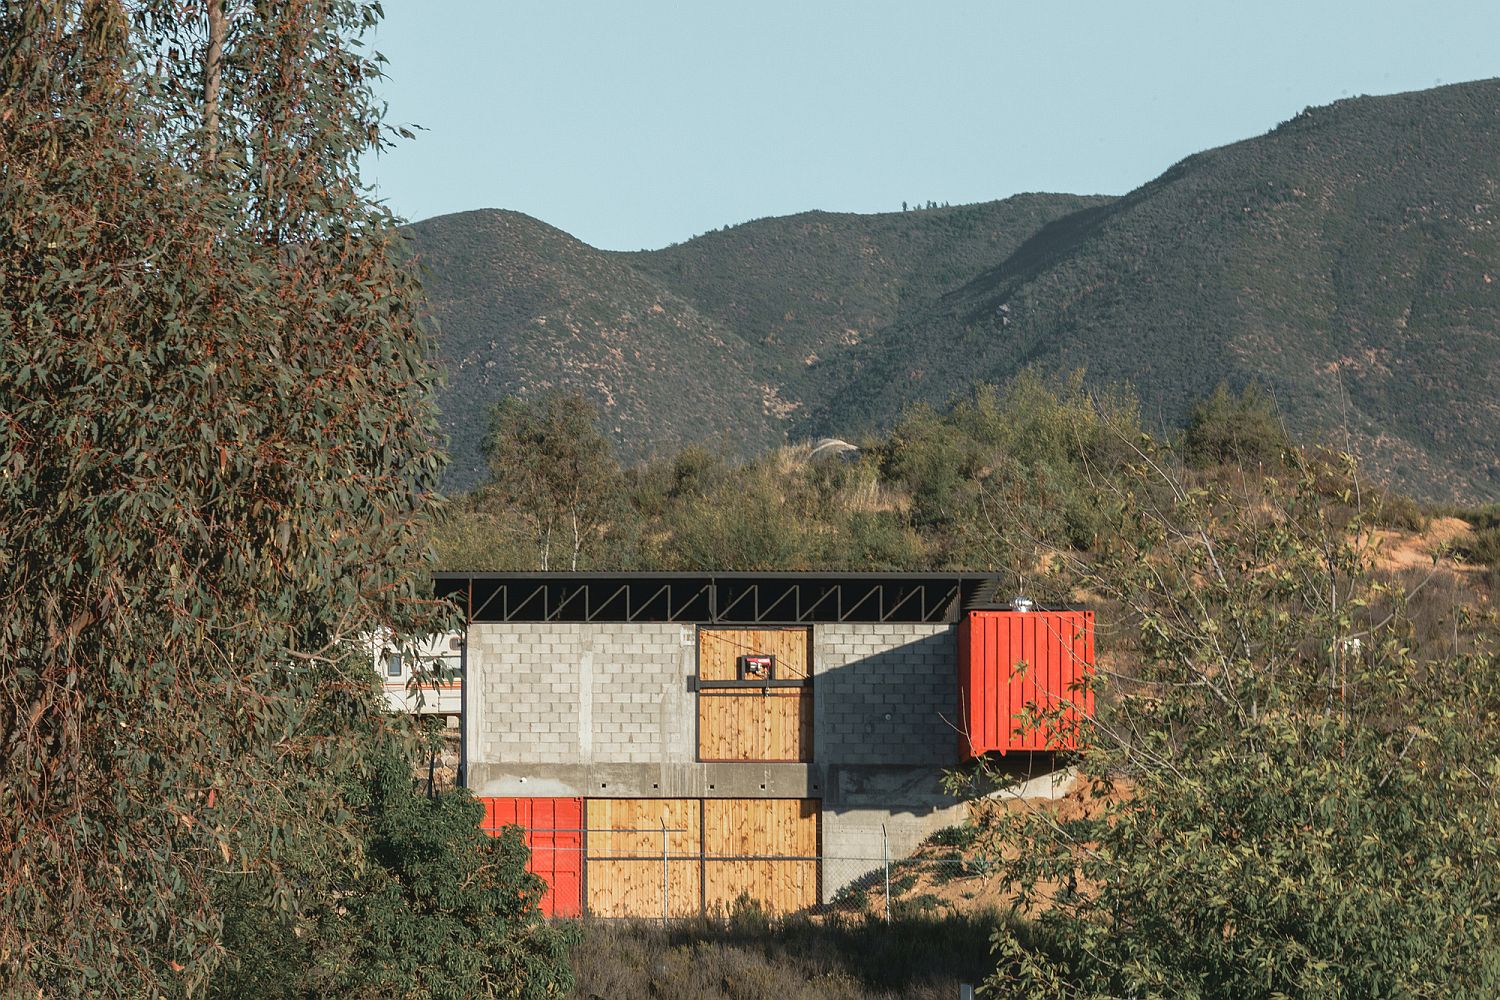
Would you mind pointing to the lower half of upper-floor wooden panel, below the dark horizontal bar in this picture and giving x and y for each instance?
(754, 725)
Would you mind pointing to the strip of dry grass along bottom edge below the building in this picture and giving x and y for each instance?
(751, 957)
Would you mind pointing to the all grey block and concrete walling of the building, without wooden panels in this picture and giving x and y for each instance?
(607, 710)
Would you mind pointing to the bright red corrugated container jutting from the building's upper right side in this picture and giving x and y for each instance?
(1010, 660)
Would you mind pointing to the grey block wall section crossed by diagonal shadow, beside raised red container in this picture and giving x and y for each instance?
(886, 695)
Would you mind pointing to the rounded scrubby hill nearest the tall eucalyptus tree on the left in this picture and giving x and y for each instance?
(523, 308)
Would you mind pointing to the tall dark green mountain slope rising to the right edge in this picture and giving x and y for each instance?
(1349, 262)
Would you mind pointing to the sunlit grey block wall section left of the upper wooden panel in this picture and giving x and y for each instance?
(575, 695)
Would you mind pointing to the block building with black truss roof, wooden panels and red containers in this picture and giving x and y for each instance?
(676, 741)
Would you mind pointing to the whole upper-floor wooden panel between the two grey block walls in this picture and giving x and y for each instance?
(773, 723)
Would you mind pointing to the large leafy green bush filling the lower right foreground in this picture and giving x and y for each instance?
(1279, 810)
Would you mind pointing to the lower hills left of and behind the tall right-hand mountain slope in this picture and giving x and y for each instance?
(706, 341)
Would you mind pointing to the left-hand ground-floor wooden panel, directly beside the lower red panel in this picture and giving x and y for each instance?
(625, 857)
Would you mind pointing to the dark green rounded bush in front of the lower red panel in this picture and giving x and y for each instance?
(439, 911)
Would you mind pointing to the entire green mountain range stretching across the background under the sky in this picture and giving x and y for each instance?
(1348, 262)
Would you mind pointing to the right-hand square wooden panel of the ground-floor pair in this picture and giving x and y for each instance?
(772, 843)
